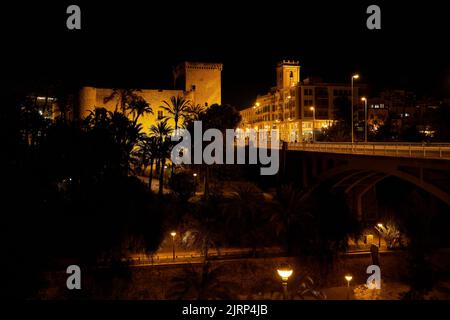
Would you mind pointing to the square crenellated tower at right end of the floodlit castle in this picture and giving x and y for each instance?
(201, 81)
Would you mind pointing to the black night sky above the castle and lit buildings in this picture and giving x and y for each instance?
(135, 43)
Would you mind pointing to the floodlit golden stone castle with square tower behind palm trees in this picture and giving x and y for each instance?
(198, 82)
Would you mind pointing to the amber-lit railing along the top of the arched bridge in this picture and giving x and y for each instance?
(409, 150)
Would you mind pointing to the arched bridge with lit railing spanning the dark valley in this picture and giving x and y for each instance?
(356, 169)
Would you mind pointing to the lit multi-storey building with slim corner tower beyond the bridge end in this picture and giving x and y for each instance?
(296, 107)
